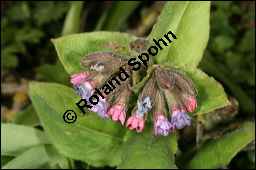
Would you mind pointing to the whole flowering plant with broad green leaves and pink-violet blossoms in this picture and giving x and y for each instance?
(156, 101)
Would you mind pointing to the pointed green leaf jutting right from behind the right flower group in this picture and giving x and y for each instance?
(210, 93)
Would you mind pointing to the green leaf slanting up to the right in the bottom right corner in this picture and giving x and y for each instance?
(222, 150)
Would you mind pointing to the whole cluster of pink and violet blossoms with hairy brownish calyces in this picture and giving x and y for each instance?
(165, 88)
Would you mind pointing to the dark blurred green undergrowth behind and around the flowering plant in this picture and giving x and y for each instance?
(27, 54)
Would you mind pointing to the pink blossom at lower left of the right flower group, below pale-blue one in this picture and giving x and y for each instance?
(135, 122)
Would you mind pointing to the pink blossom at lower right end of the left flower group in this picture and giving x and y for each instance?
(117, 112)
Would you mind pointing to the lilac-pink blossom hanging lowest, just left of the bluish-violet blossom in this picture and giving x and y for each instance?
(162, 126)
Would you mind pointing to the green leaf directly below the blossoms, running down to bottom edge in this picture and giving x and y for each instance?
(145, 151)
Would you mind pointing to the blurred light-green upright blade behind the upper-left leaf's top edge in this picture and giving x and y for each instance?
(71, 24)
